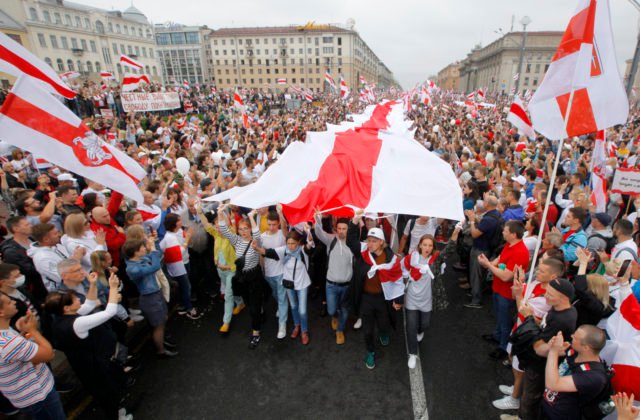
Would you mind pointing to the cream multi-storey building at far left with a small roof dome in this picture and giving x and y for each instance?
(74, 37)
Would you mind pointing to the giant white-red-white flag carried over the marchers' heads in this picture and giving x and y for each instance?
(357, 164)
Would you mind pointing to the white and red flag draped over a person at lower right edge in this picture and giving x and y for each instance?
(622, 351)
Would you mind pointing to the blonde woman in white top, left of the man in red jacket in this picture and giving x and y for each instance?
(78, 234)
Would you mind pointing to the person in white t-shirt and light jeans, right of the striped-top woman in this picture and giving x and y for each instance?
(275, 237)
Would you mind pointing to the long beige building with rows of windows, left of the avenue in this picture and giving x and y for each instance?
(257, 57)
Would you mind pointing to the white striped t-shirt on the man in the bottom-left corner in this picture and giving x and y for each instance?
(22, 382)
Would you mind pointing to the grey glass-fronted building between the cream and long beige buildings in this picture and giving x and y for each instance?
(181, 51)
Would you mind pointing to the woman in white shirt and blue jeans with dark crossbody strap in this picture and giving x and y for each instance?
(295, 278)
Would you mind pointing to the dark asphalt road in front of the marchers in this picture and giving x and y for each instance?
(219, 378)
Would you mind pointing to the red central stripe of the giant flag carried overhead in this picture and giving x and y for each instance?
(346, 176)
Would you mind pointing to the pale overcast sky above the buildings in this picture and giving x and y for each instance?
(415, 38)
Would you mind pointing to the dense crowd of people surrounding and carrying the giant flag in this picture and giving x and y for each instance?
(81, 264)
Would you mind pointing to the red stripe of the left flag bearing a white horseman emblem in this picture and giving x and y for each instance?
(40, 120)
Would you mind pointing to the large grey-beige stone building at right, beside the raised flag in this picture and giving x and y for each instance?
(493, 67)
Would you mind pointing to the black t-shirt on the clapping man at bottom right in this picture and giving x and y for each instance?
(589, 383)
